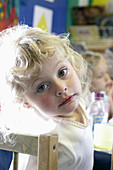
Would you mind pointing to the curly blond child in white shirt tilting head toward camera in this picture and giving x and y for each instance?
(48, 77)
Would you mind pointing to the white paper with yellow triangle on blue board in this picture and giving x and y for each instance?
(42, 18)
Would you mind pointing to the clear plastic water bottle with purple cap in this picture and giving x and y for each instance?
(96, 111)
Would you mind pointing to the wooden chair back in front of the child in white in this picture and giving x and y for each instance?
(44, 146)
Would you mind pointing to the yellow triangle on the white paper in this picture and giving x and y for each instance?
(42, 23)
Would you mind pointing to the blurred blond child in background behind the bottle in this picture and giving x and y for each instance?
(101, 80)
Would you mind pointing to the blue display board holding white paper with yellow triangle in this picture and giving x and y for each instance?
(49, 15)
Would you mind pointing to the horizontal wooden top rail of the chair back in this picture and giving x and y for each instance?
(20, 143)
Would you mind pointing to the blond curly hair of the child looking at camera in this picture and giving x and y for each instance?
(23, 50)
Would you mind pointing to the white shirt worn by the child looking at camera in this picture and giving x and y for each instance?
(75, 148)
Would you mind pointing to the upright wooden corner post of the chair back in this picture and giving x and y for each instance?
(48, 152)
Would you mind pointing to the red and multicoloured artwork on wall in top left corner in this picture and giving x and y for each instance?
(8, 13)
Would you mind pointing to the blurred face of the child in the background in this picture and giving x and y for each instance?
(101, 79)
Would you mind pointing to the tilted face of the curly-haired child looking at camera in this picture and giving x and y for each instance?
(56, 90)
